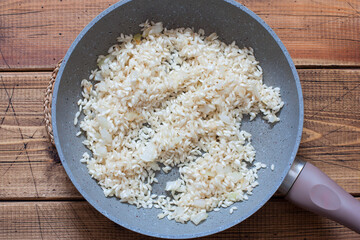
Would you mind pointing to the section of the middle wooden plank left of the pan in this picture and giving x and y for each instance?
(29, 166)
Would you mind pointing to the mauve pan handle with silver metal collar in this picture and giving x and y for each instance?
(310, 188)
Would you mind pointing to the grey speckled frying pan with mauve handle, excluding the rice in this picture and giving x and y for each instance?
(275, 144)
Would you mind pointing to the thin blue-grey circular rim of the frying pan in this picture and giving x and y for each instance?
(187, 235)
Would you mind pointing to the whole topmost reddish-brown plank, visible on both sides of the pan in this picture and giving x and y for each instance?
(37, 34)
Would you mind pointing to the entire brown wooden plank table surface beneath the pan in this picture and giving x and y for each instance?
(38, 201)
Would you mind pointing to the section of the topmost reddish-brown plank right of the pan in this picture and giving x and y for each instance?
(314, 32)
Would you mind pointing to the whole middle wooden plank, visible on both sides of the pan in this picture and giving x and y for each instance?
(29, 168)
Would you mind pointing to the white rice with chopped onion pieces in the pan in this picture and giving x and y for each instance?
(175, 98)
